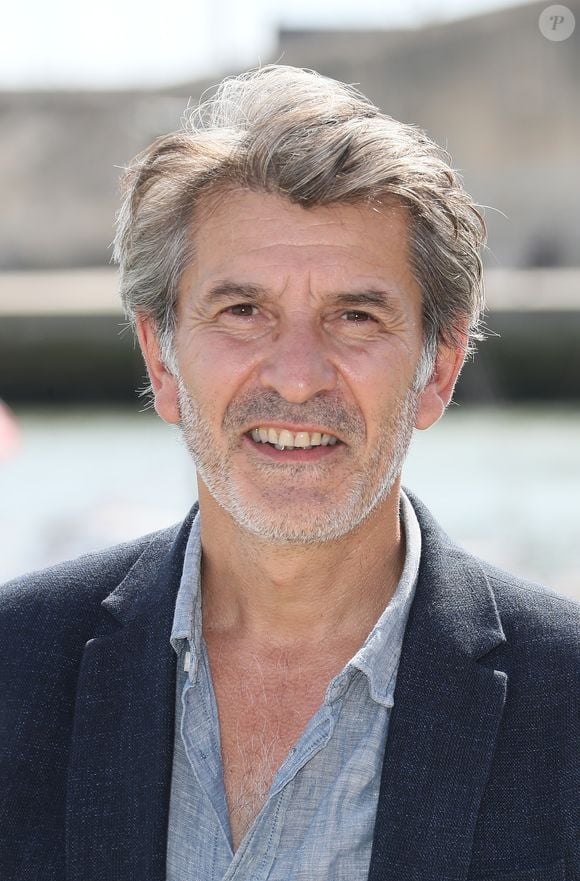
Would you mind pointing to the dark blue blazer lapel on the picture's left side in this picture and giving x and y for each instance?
(119, 777)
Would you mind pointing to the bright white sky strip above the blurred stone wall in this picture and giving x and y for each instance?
(128, 43)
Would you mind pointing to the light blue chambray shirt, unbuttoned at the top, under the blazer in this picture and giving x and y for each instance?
(318, 820)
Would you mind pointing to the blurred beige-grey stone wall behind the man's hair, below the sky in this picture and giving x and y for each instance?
(492, 89)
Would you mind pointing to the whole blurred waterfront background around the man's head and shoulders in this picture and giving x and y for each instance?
(83, 462)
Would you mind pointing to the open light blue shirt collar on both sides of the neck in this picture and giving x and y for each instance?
(378, 658)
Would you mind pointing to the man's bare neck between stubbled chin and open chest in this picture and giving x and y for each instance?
(298, 596)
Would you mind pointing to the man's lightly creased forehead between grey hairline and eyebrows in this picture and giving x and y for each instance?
(262, 235)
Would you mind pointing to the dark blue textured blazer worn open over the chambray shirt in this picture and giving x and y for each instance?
(480, 777)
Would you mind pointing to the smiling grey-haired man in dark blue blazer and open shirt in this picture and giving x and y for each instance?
(306, 679)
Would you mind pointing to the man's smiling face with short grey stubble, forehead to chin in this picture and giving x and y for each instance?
(275, 347)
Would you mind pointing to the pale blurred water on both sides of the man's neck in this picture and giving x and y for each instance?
(504, 483)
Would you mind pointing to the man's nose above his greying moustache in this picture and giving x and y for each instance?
(297, 363)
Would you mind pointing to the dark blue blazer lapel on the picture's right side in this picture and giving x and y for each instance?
(445, 719)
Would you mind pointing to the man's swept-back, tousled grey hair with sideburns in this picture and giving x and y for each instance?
(315, 141)
